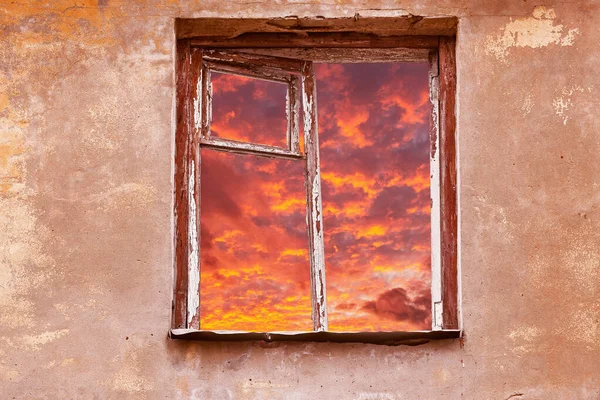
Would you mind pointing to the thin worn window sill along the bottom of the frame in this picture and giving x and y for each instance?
(386, 338)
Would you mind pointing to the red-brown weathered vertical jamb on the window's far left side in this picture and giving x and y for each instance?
(181, 189)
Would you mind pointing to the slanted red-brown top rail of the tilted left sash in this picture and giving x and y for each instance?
(253, 60)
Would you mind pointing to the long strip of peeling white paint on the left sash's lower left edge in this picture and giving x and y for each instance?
(193, 296)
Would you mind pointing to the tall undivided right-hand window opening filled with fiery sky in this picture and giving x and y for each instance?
(375, 151)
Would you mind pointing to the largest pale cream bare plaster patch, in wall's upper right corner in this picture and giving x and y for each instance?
(533, 32)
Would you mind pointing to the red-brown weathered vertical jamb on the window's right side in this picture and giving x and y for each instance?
(447, 150)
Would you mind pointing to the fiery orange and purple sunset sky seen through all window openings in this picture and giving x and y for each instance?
(374, 145)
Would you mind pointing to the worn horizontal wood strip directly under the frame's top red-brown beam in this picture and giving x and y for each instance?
(347, 55)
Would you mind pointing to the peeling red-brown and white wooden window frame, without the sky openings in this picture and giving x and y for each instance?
(272, 57)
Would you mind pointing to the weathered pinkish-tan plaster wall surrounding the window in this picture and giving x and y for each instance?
(86, 132)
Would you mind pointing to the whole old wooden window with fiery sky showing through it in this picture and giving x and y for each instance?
(276, 232)
